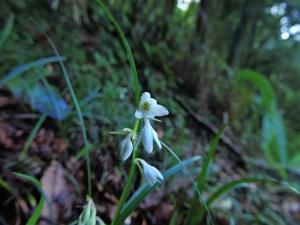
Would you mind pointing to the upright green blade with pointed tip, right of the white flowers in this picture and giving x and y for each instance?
(192, 215)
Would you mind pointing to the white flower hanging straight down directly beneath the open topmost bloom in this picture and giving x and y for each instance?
(147, 135)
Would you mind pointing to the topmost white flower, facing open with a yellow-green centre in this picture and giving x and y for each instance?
(149, 108)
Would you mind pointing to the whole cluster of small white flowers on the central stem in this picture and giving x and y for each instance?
(147, 111)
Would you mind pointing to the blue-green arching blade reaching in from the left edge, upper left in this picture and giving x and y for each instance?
(24, 67)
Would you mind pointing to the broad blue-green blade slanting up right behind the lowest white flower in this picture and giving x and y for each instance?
(146, 189)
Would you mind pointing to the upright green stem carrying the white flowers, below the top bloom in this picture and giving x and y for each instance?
(130, 180)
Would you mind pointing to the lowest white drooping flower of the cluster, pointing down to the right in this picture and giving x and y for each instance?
(151, 174)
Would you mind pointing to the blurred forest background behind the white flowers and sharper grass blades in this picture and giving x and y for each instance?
(209, 62)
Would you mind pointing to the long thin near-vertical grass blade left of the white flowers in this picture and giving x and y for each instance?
(78, 110)
